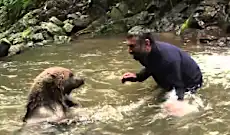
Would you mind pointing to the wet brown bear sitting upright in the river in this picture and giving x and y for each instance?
(48, 99)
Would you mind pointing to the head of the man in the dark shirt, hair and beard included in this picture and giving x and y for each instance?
(139, 42)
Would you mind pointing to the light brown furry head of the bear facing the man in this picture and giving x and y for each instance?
(57, 81)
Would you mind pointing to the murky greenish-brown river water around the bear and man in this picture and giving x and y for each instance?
(122, 109)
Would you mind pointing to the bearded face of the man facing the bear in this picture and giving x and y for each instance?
(137, 50)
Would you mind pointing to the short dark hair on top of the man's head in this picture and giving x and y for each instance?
(141, 34)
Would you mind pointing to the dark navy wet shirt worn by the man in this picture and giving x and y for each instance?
(171, 68)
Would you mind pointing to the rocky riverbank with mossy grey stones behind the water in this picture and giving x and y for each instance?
(60, 21)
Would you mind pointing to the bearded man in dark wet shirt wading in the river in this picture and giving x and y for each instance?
(169, 66)
